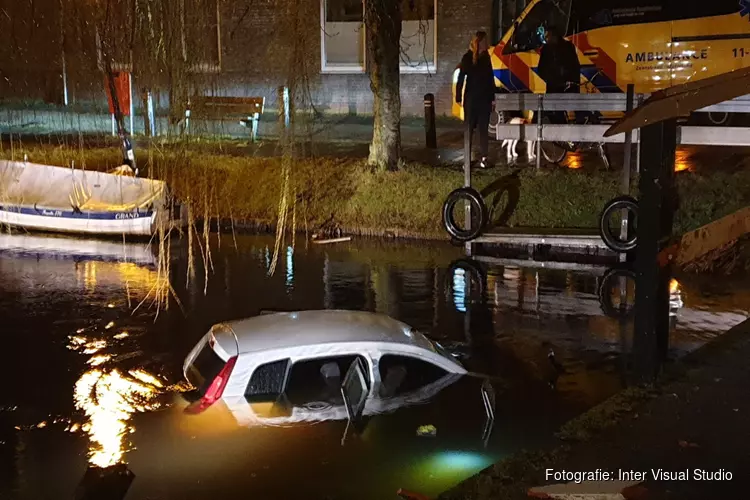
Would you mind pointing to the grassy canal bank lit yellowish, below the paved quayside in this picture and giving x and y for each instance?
(404, 203)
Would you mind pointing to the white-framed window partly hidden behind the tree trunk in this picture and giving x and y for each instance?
(343, 36)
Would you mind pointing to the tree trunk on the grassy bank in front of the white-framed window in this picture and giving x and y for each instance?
(383, 35)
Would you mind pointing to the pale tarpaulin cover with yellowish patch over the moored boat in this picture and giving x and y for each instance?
(62, 188)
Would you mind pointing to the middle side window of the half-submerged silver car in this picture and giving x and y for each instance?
(319, 380)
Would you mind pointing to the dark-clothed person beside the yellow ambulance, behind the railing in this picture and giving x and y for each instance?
(559, 68)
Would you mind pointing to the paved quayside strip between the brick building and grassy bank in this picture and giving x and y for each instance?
(331, 135)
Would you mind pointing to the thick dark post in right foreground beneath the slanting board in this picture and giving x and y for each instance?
(656, 206)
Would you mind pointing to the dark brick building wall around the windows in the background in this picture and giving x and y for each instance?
(255, 48)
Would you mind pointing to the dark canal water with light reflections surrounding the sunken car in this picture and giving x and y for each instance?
(92, 369)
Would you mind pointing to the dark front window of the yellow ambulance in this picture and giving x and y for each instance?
(529, 35)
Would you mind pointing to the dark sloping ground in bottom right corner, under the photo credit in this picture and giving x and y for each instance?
(695, 429)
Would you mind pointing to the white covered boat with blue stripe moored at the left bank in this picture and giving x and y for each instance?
(68, 200)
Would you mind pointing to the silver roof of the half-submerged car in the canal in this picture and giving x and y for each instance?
(303, 328)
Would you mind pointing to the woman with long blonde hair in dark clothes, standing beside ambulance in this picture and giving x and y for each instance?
(476, 84)
